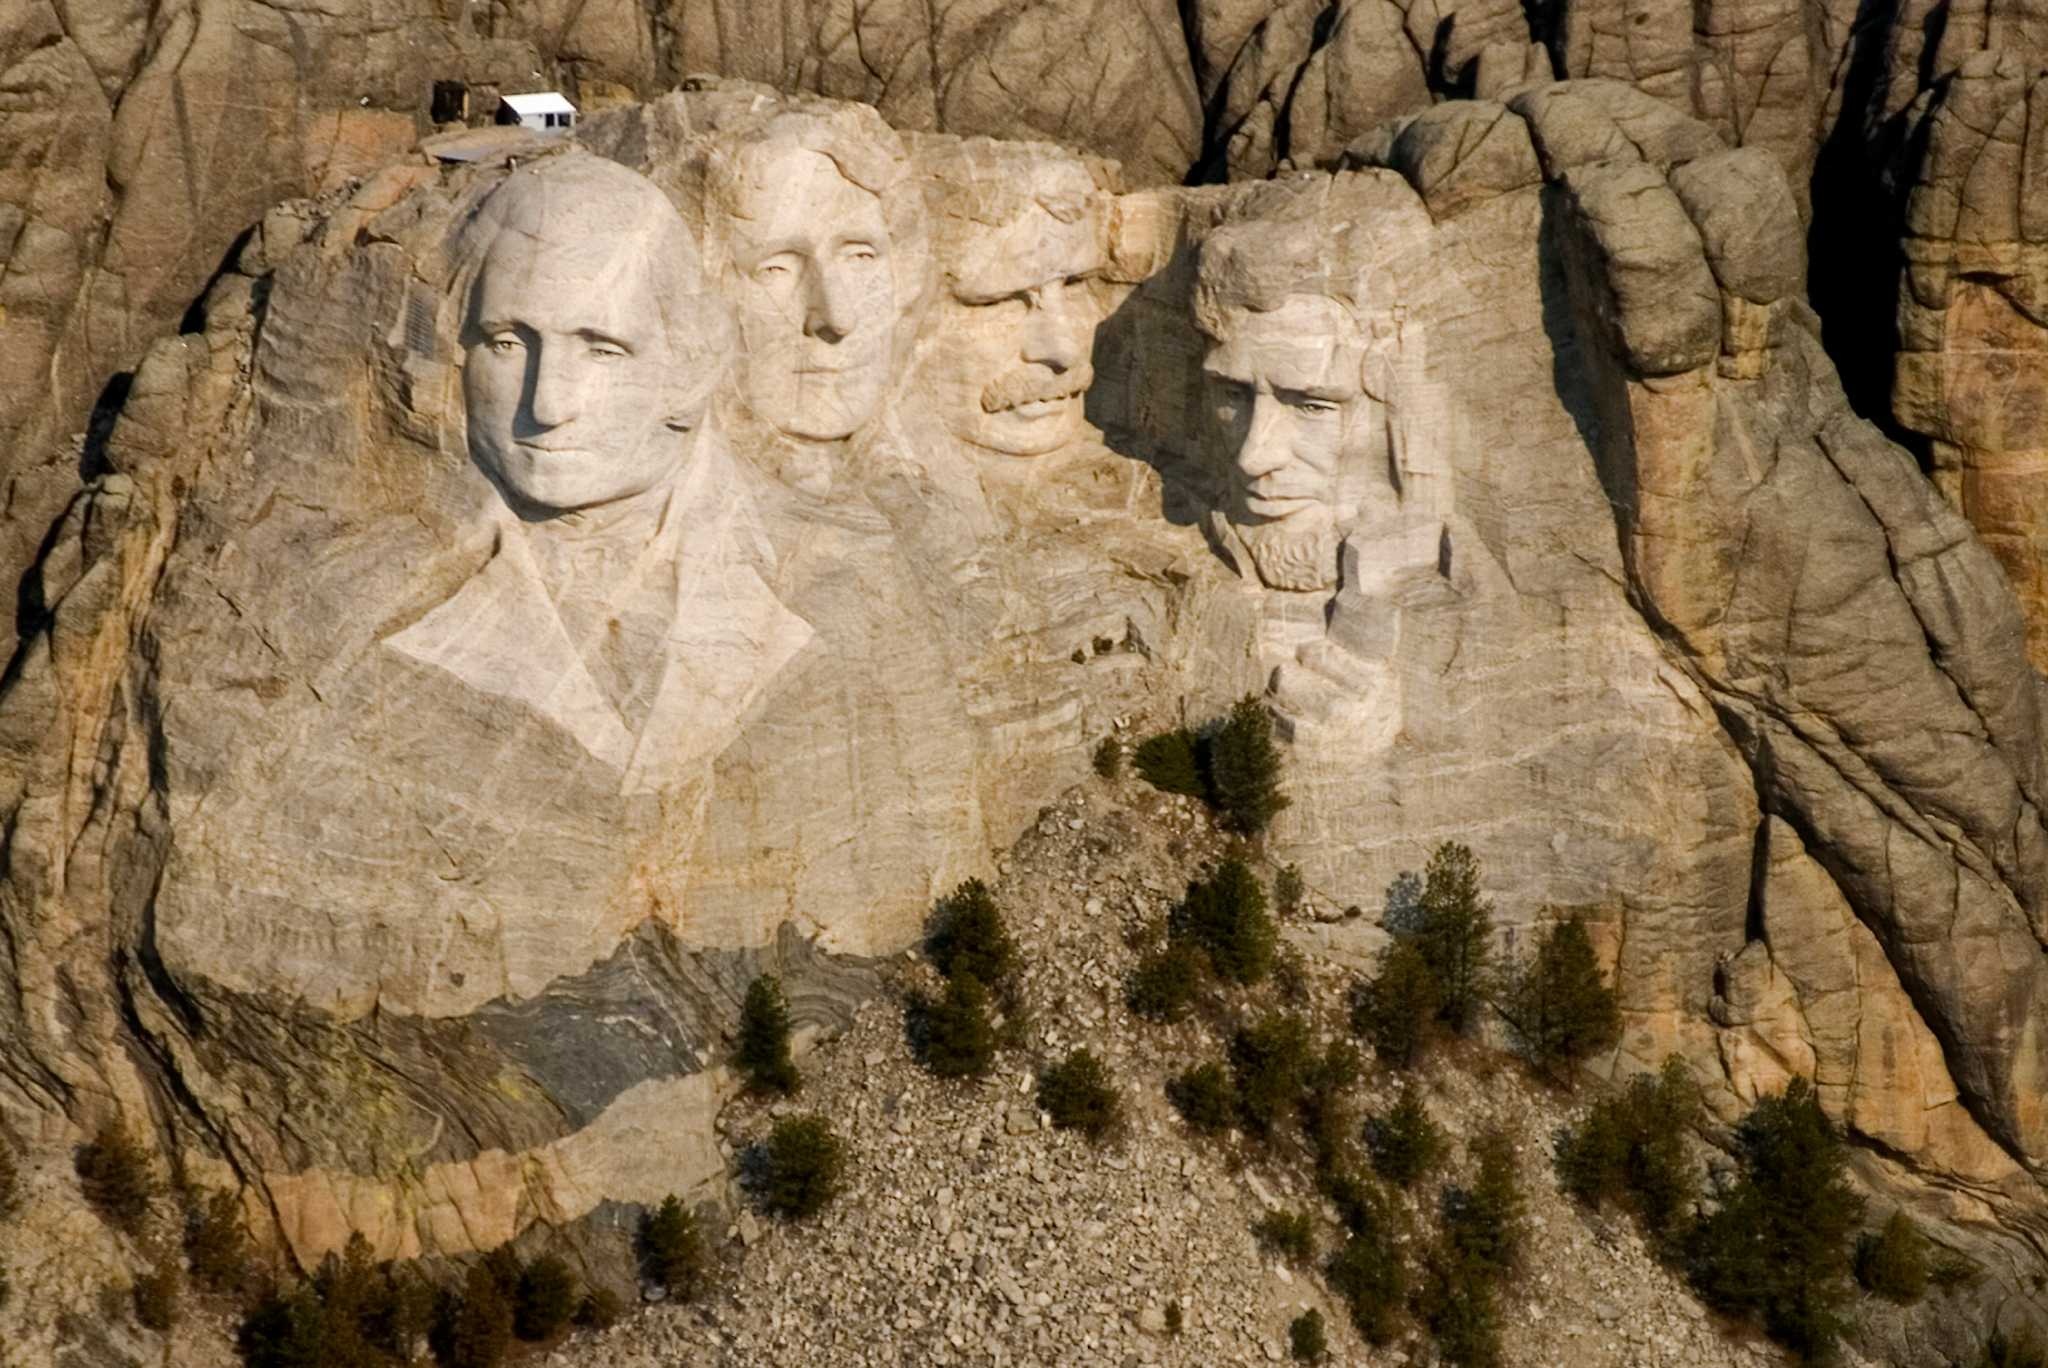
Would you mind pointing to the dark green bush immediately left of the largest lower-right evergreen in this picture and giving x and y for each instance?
(1631, 1150)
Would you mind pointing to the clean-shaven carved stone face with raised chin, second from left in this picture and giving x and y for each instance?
(814, 294)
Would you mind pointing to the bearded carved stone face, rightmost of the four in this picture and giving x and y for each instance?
(1297, 431)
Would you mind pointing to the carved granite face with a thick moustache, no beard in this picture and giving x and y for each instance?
(1015, 333)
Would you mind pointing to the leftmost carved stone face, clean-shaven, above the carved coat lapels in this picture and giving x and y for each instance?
(570, 380)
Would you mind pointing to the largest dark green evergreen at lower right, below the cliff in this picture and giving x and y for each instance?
(1779, 1242)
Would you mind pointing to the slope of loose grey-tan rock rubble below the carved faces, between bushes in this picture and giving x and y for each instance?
(976, 1234)
